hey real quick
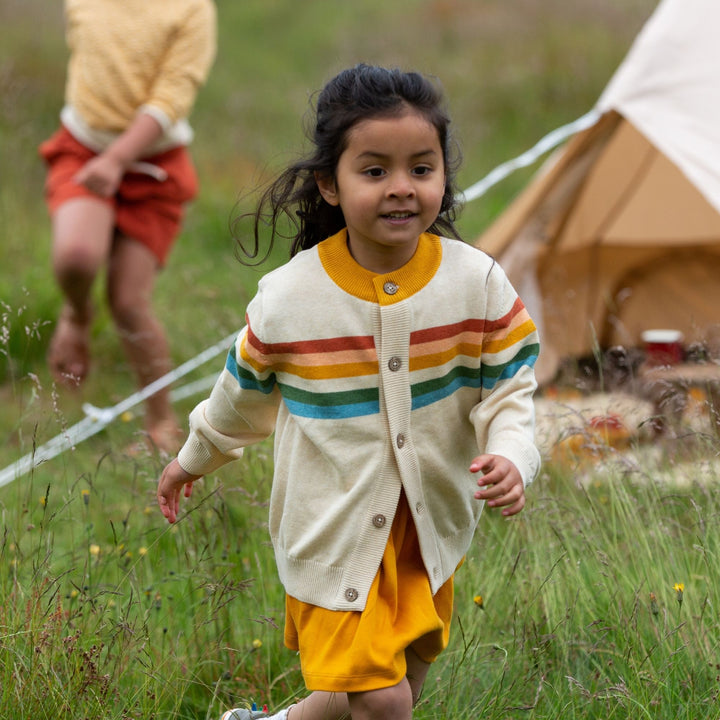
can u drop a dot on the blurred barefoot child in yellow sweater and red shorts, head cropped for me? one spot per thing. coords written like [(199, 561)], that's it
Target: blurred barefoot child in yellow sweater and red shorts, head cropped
[(119, 176)]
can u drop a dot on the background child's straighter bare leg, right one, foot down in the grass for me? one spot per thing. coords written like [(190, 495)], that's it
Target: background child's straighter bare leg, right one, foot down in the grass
[(131, 278)]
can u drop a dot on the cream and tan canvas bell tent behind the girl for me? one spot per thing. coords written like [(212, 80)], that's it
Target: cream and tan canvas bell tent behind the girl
[(619, 231)]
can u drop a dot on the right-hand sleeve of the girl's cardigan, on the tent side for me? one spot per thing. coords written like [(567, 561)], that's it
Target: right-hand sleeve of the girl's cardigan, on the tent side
[(504, 419)]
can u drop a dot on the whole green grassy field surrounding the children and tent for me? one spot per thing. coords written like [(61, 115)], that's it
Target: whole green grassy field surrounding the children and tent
[(599, 601)]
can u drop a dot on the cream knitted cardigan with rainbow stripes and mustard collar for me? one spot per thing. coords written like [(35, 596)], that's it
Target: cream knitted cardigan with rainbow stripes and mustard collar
[(372, 383)]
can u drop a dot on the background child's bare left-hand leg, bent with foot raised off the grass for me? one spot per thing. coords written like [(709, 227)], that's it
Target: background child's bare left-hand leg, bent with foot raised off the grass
[(82, 235)]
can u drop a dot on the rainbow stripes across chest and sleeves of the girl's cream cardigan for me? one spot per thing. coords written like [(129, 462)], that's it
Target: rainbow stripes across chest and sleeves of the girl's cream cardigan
[(472, 353)]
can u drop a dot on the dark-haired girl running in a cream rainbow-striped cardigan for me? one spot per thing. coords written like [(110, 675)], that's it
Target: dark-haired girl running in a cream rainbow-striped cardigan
[(393, 365)]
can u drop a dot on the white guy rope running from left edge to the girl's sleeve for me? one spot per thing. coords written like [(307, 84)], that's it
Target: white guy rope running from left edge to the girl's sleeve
[(98, 418)]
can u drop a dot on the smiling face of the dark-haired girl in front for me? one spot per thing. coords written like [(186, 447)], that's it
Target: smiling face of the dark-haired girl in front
[(389, 184)]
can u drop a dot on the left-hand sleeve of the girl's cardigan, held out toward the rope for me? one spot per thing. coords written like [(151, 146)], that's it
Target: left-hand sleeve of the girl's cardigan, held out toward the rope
[(241, 410)]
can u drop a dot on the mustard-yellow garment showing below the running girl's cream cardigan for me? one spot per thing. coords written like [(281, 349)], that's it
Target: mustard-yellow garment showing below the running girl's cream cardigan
[(359, 651)]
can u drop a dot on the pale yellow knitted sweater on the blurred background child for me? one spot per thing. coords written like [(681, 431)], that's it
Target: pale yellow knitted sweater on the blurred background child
[(131, 54)]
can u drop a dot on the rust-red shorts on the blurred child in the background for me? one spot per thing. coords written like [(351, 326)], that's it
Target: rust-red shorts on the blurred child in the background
[(146, 209)]
